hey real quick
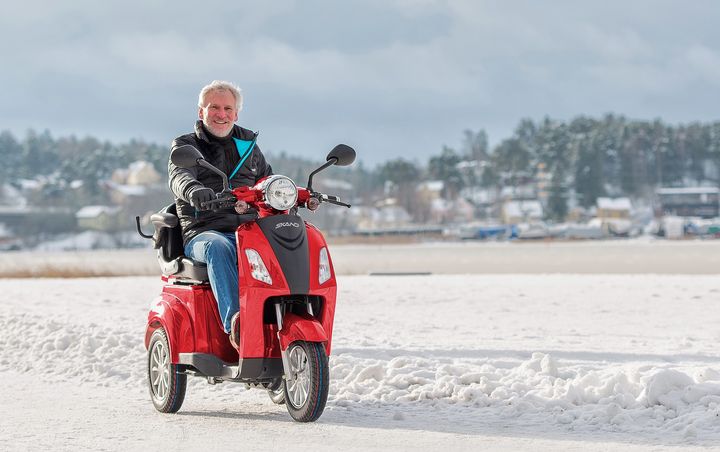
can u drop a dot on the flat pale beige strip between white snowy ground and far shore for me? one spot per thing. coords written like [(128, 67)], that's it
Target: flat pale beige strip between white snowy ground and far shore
[(637, 256)]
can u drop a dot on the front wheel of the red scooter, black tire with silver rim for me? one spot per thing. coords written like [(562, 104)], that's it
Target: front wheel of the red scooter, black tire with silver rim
[(309, 363)]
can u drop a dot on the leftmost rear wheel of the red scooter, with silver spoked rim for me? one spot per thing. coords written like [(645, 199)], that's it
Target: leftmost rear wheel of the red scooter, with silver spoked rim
[(167, 385)]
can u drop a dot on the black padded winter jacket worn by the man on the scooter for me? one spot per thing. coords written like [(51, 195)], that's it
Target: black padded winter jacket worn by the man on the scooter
[(184, 180)]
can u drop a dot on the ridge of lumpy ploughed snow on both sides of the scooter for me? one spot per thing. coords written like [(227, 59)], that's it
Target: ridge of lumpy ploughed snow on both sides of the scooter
[(581, 396)]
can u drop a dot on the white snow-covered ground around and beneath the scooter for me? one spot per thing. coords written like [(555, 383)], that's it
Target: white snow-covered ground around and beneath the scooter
[(454, 362)]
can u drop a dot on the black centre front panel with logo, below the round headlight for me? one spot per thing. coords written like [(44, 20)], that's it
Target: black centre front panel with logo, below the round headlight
[(288, 238)]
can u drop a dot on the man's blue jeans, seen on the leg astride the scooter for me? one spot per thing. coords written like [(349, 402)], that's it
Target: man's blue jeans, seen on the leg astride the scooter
[(218, 250)]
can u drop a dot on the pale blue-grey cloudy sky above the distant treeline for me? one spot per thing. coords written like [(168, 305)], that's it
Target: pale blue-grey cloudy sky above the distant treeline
[(393, 78)]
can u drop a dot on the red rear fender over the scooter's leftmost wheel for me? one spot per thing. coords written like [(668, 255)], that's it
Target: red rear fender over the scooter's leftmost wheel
[(169, 313)]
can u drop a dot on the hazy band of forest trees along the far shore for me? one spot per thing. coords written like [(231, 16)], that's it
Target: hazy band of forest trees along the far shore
[(574, 162)]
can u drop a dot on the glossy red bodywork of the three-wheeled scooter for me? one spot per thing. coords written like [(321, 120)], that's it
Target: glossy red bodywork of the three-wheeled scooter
[(190, 317)]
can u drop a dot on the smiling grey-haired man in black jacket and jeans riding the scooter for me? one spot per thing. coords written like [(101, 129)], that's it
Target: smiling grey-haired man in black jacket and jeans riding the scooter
[(209, 236)]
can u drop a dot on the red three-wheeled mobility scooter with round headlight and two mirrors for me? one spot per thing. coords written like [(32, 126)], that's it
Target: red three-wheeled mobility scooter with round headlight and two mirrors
[(287, 298)]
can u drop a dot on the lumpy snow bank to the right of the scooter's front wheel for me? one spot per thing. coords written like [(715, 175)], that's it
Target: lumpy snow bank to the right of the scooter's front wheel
[(620, 398)]
